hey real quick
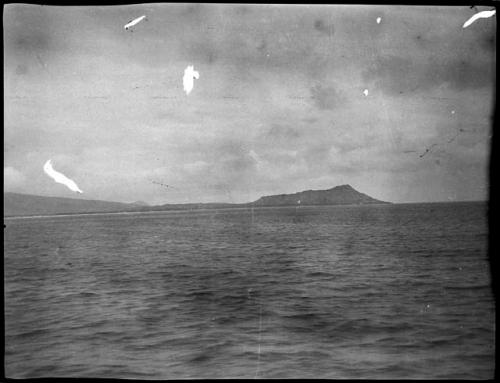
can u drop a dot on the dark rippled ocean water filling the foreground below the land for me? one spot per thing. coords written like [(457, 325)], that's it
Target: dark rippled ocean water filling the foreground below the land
[(388, 291)]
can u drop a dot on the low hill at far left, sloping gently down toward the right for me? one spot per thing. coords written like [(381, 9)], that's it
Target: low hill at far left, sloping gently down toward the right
[(15, 204)]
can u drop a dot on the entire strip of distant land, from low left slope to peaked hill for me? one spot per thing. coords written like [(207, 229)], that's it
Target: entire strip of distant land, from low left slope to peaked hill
[(16, 204)]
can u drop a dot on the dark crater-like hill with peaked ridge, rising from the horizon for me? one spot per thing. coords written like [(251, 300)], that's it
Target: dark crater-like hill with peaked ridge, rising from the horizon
[(339, 195)]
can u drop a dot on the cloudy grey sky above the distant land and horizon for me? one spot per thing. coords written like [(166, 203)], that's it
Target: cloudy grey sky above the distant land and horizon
[(278, 108)]
